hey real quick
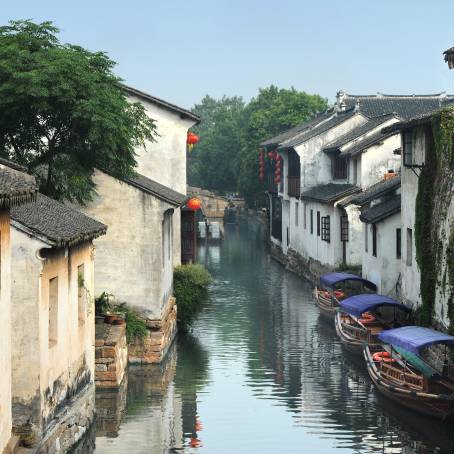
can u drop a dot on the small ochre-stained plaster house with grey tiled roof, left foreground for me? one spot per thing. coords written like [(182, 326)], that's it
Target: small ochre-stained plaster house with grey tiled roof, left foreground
[(54, 332)]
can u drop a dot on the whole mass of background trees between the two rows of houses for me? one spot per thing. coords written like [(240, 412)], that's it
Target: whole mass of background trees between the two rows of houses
[(231, 131)]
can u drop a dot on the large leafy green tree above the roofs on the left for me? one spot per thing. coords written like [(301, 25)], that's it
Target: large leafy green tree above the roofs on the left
[(63, 112)]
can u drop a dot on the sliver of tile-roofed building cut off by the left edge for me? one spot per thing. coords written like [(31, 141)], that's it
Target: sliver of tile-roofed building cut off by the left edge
[(16, 187)]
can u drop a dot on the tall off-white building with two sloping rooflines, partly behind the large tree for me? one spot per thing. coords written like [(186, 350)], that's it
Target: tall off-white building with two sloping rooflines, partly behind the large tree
[(135, 260)]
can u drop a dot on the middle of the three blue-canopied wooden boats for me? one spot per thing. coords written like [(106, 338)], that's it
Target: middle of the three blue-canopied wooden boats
[(360, 318)]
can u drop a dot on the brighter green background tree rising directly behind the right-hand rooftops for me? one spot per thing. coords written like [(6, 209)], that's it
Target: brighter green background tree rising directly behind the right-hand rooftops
[(273, 111)]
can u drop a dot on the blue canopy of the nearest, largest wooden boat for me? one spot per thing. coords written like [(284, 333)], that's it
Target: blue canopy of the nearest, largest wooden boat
[(414, 338)]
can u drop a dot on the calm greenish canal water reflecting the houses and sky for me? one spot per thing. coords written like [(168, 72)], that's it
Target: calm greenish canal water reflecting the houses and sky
[(259, 373)]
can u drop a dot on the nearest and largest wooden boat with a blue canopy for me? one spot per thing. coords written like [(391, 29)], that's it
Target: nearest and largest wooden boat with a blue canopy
[(414, 368)]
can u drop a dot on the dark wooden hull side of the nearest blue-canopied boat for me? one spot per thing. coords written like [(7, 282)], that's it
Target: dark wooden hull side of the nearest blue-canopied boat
[(433, 405)]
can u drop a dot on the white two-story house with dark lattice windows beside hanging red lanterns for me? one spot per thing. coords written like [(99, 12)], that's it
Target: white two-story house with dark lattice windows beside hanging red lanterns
[(325, 160)]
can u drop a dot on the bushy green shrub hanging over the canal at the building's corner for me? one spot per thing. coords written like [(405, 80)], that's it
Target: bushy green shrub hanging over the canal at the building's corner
[(191, 292)]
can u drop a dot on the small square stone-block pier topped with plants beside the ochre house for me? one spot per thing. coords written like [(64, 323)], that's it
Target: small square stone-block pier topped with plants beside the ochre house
[(111, 355)]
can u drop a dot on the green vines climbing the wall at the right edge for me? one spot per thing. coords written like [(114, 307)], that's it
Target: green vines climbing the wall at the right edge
[(434, 234)]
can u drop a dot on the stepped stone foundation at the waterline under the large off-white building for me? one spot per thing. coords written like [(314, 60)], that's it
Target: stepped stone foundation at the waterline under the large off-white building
[(161, 332)]
